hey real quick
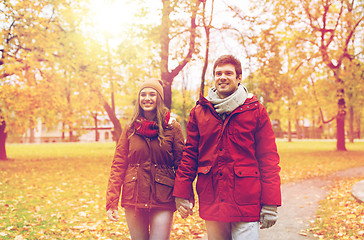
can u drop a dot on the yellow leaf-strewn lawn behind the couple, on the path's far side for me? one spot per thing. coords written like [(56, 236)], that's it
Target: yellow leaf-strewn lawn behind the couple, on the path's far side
[(57, 191)]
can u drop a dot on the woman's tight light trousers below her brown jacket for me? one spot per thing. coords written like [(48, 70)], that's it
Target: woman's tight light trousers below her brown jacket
[(145, 225)]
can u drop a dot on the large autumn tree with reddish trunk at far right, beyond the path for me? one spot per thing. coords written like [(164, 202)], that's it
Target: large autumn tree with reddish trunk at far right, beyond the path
[(326, 31)]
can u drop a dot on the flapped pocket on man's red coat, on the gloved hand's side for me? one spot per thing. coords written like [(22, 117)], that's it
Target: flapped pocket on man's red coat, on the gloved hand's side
[(247, 186)]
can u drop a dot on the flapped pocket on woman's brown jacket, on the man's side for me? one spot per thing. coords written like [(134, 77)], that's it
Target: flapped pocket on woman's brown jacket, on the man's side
[(163, 188)]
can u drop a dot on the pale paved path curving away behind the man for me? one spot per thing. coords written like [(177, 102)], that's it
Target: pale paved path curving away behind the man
[(299, 205)]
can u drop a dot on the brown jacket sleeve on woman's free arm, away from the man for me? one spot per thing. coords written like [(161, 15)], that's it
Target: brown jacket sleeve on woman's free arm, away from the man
[(117, 173)]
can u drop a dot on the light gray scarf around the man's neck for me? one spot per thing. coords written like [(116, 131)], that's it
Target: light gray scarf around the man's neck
[(226, 105)]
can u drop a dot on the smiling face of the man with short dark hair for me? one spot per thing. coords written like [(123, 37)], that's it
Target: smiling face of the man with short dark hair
[(226, 81)]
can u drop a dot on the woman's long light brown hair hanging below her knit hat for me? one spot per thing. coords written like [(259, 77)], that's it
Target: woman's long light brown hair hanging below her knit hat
[(161, 110)]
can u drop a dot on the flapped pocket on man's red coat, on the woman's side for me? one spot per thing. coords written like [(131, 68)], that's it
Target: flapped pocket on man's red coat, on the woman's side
[(204, 187)]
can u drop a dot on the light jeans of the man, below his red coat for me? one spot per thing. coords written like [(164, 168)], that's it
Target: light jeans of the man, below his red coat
[(232, 230)]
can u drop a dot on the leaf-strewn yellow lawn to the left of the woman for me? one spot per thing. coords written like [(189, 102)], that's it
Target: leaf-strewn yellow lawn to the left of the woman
[(56, 191)]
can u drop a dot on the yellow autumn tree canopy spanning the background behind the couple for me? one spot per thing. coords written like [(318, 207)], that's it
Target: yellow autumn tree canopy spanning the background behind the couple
[(303, 59)]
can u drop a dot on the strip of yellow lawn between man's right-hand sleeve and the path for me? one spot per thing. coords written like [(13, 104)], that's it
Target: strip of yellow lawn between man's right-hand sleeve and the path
[(307, 159)]
